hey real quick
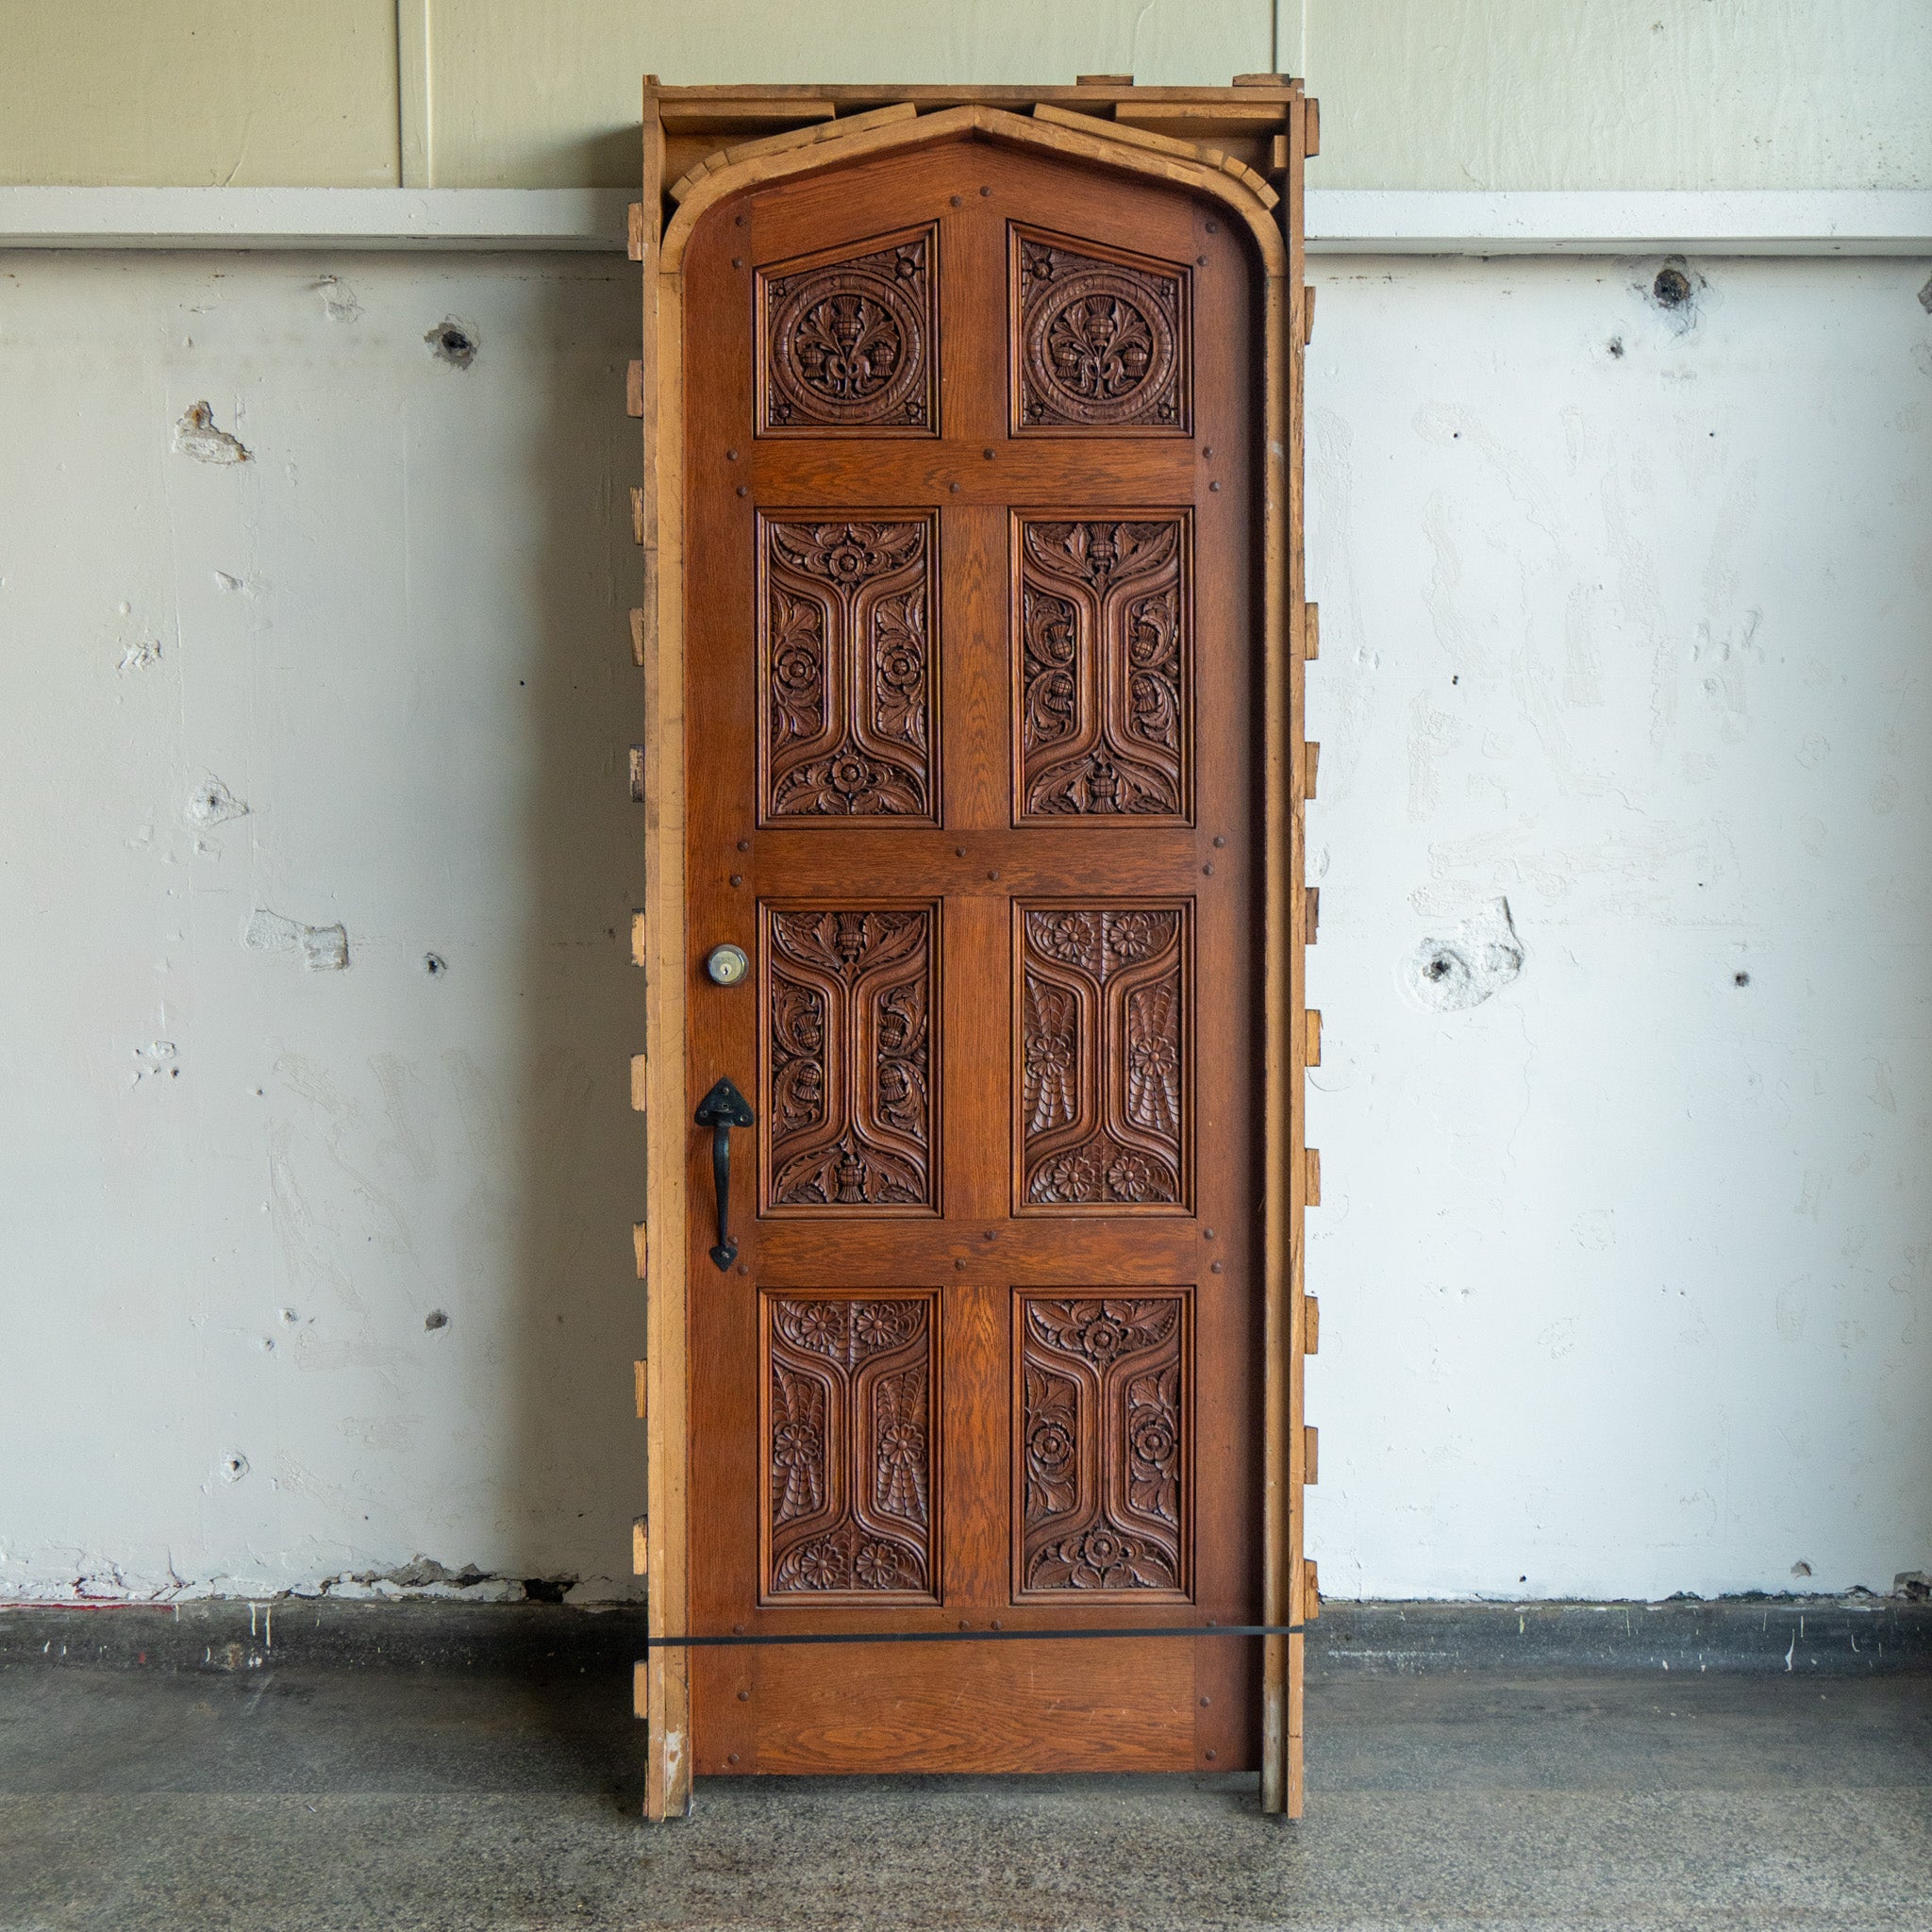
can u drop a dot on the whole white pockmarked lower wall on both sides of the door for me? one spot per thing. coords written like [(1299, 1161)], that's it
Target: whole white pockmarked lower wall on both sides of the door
[(1624, 1270)]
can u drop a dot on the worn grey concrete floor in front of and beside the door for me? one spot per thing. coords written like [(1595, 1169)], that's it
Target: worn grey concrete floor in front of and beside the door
[(298, 1800)]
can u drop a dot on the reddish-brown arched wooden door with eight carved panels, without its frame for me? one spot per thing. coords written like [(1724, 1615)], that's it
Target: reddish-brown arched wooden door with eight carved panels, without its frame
[(973, 724)]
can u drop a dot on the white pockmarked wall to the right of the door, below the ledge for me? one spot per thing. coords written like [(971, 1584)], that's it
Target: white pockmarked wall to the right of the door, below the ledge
[(1628, 1272)]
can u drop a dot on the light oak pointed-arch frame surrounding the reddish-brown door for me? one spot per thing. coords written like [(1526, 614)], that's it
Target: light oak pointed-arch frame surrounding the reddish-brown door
[(1270, 119)]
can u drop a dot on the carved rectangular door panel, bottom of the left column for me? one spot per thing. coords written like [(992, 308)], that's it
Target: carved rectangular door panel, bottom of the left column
[(851, 1448)]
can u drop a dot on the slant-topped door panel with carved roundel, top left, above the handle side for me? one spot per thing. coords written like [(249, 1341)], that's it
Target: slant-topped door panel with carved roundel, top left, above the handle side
[(849, 339)]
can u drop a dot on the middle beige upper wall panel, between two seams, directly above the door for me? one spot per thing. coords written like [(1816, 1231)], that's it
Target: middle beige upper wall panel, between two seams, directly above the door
[(548, 98)]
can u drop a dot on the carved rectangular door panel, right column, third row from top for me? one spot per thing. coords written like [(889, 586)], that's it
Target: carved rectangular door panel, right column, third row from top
[(1104, 1108)]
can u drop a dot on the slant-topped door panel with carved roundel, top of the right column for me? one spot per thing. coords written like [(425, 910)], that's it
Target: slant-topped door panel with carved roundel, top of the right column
[(1100, 339)]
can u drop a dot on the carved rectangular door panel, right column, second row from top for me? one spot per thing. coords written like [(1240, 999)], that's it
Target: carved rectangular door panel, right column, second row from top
[(1104, 669)]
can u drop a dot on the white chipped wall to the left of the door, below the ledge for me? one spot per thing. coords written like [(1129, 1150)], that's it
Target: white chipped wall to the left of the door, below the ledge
[(235, 1191)]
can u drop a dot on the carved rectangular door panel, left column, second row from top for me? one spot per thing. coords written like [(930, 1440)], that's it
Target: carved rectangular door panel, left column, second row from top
[(847, 685)]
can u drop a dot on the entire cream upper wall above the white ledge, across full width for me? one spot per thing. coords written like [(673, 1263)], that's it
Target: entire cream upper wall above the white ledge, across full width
[(1417, 94)]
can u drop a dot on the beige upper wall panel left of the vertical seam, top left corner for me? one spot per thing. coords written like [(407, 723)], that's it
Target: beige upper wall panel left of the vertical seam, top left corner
[(198, 94)]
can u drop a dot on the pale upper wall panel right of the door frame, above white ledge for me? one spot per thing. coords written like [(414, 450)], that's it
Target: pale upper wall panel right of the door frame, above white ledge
[(1672, 94)]
